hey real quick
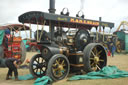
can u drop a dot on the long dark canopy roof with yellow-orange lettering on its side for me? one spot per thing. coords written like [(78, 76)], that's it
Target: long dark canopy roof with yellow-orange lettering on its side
[(37, 17)]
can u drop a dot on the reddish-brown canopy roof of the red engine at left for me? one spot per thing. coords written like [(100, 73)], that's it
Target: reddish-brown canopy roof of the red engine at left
[(13, 27)]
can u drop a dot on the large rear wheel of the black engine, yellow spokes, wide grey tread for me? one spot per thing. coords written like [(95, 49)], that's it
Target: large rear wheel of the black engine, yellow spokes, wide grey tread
[(94, 58)]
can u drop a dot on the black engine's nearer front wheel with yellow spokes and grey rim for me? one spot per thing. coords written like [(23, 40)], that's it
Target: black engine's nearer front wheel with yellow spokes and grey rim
[(58, 67)]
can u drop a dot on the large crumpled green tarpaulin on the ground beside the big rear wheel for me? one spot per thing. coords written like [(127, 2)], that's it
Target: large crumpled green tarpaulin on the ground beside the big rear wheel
[(108, 72)]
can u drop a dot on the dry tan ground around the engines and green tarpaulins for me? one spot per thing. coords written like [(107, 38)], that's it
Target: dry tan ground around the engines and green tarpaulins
[(120, 60)]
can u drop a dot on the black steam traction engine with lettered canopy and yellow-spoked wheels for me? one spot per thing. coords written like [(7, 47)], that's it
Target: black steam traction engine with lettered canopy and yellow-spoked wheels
[(63, 51)]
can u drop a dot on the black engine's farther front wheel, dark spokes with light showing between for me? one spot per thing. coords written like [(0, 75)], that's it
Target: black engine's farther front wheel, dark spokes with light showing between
[(38, 66)]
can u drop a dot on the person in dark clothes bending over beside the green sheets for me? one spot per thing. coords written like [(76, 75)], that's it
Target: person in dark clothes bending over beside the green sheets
[(12, 65)]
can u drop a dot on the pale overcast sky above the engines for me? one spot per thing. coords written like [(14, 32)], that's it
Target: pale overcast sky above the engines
[(110, 10)]
